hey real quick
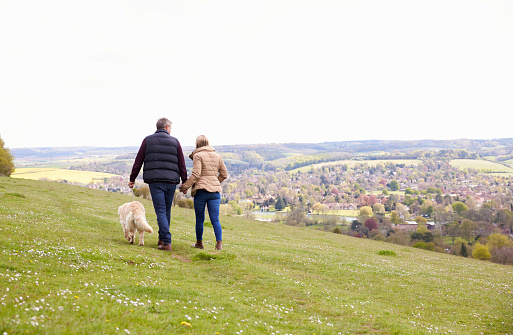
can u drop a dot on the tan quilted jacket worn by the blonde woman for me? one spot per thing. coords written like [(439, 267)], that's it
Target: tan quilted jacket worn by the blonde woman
[(208, 171)]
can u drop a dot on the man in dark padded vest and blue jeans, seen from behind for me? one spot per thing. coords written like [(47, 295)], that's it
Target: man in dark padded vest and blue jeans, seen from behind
[(164, 165)]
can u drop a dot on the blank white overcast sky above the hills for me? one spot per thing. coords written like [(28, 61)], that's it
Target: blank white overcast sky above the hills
[(100, 73)]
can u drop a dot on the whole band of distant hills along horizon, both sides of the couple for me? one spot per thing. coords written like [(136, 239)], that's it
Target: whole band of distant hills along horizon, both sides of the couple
[(289, 156)]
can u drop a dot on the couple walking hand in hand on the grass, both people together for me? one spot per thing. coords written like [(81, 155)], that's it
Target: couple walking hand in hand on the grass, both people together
[(164, 166)]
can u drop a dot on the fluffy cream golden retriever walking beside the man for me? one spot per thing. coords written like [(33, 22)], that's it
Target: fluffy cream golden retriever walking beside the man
[(132, 218)]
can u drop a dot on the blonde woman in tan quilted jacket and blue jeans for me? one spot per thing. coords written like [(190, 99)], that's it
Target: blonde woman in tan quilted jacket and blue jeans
[(208, 171)]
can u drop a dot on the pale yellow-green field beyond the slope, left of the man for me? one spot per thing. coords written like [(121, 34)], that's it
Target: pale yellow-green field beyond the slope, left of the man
[(55, 174)]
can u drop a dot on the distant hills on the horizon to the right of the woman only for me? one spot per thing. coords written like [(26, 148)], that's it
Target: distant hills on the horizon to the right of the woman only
[(290, 156)]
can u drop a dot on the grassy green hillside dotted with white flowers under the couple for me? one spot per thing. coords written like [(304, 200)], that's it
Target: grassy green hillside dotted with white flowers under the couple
[(65, 268)]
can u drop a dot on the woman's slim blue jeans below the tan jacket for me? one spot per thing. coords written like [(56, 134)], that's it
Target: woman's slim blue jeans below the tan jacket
[(212, 200)]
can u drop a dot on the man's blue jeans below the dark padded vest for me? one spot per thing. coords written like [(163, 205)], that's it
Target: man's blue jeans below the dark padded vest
[(162, 195)]
